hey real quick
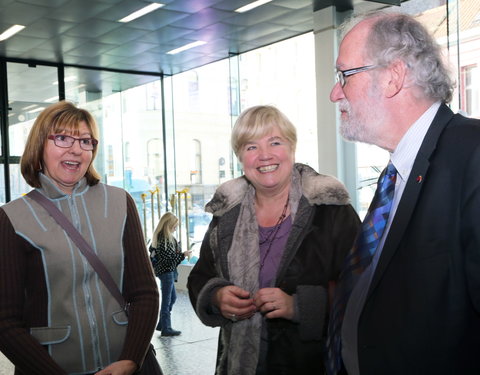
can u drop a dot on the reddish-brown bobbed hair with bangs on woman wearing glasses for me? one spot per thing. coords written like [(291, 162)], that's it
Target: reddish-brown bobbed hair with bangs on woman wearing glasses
[(55, 119)]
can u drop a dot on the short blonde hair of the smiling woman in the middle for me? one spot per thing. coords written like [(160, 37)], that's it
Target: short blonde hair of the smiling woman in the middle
[(258, 121)]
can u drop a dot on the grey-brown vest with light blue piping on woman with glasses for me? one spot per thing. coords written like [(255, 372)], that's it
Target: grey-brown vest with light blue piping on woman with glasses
[(86, 326)]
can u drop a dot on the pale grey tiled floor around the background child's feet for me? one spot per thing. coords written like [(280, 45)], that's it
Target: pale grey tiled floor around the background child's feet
[(192, 353)]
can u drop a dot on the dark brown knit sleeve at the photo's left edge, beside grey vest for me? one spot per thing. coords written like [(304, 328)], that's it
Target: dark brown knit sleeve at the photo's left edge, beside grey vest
[(20, 264)]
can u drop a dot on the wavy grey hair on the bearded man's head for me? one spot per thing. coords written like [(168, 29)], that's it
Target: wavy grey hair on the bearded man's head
[(398, 36)]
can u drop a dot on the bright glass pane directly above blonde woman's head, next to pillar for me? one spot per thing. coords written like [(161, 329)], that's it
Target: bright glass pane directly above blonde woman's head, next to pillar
[(282, 74)]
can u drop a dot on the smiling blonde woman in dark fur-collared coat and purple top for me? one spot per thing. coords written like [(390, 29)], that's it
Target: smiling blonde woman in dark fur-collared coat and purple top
[(275, 246)]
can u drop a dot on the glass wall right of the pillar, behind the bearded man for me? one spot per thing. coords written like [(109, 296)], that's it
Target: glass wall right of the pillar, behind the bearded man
[(456, 26)]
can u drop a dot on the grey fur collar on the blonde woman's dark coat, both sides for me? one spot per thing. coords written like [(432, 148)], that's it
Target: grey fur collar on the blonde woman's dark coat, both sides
[(317, 188)]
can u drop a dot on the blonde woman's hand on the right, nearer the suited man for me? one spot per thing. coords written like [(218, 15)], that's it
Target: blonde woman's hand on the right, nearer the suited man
[(274, 303)]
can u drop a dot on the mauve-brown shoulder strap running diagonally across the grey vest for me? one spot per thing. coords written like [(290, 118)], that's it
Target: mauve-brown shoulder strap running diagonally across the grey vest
[(83, 245)]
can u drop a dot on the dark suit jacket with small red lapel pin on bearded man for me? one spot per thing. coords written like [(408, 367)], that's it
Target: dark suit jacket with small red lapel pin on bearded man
[(422, 313)]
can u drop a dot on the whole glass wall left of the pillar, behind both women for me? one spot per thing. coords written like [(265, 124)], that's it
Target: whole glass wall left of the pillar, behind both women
[(176, 165)]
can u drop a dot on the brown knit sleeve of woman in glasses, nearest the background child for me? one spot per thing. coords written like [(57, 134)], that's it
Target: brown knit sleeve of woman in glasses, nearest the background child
[(140, 289)]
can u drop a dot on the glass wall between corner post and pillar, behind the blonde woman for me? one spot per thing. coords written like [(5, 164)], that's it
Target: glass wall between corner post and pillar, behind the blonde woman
[(206, 103)]
